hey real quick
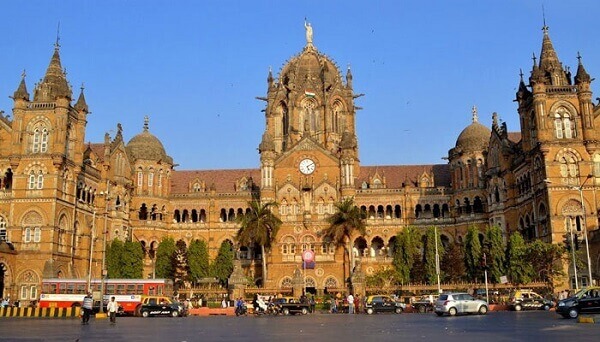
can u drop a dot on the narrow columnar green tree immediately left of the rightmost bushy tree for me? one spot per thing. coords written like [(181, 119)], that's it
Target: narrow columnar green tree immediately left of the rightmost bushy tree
[(519, 269)]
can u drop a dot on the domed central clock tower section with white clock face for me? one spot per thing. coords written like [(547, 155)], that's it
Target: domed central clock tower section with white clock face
[(309, 152)]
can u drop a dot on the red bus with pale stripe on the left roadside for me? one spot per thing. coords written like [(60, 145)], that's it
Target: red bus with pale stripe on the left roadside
[(66, 293)]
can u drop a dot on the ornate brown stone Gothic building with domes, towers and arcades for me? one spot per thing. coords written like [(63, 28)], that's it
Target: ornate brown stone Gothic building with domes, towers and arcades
[(62, 200)]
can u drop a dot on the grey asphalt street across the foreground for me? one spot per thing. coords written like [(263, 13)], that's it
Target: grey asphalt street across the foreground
[(496, 326)]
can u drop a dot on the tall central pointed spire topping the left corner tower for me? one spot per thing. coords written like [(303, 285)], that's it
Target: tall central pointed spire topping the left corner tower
[(54, 83)]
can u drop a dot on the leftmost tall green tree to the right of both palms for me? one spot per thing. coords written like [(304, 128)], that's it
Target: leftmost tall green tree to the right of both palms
[(408, 244)]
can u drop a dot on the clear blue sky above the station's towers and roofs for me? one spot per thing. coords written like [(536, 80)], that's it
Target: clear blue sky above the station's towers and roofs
[(196, 67)]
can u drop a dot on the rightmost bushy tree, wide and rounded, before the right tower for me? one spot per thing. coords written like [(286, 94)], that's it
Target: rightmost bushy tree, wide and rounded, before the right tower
[(545, 259)]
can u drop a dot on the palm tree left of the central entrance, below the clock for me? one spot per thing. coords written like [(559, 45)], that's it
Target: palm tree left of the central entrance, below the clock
[(259, 227)]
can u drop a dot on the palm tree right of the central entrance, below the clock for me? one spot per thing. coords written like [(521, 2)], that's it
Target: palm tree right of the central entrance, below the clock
[(347, 219)]
